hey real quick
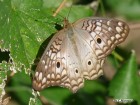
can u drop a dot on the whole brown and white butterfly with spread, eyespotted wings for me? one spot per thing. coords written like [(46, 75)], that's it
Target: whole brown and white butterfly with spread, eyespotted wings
[(78, 52)]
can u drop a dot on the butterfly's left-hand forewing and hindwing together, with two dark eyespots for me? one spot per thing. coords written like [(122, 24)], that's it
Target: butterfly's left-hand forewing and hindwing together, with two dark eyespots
[(59, 65)]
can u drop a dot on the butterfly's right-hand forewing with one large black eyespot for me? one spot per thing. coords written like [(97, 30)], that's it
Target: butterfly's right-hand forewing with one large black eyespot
[(106, 33)]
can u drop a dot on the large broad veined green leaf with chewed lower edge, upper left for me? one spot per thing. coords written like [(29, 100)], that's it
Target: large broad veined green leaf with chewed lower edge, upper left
[(22, 30)]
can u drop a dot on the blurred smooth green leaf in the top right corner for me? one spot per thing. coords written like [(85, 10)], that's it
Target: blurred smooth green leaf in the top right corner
[(129, 8)]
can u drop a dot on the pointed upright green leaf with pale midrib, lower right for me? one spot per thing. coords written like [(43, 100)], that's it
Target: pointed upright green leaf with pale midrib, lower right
[(125, 83)]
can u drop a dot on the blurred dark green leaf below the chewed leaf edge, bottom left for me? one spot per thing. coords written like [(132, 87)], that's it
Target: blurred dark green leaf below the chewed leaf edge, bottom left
[(20, 87)]
